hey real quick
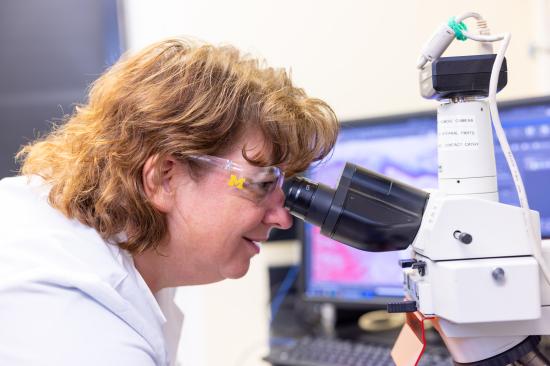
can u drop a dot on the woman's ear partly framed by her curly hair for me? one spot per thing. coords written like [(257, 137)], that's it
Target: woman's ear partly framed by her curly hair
[(159, 181)]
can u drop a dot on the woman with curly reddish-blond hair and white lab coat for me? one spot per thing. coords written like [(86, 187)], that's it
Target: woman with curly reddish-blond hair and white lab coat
[(170, 175)]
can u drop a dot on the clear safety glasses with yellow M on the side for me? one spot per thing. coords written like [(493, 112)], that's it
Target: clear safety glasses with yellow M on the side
[(254, 183)]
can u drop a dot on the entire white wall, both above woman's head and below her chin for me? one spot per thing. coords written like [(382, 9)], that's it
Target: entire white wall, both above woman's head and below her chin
[(360, 57)]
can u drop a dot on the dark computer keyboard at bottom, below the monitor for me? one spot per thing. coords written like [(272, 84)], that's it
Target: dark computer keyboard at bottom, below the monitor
[(313, 351)]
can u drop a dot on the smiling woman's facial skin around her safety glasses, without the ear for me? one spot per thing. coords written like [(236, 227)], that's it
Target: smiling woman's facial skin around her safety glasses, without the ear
[(212, 229)]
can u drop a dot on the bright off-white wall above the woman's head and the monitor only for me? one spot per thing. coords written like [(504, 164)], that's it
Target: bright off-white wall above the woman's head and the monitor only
[(357, 55)]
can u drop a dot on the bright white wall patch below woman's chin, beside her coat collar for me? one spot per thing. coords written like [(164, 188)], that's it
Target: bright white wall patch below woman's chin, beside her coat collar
[(226, 323)]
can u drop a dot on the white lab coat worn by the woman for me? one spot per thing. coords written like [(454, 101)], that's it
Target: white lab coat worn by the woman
[(69, 298)]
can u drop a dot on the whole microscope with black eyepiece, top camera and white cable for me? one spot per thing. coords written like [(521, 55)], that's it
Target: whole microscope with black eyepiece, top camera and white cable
[(478, 268)]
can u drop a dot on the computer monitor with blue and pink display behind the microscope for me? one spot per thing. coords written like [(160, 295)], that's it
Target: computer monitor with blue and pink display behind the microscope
[(404, 147)]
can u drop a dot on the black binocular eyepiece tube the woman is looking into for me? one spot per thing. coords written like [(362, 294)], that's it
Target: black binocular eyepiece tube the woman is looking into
[(367, 211)]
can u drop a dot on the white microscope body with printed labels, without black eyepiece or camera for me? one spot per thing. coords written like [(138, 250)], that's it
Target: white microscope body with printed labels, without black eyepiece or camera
[(475, 268)]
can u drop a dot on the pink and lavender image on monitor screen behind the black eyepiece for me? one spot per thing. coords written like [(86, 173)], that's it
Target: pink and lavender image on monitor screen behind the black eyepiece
[(334, 263)]
